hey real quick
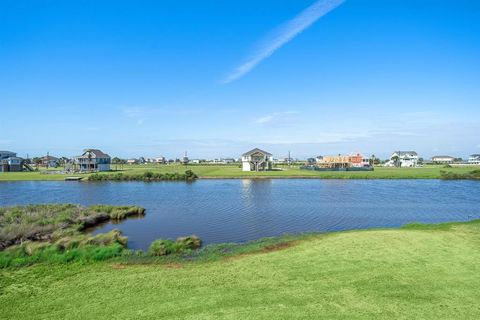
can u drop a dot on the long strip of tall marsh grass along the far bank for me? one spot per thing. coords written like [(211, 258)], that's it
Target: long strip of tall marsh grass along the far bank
[(147, 176)]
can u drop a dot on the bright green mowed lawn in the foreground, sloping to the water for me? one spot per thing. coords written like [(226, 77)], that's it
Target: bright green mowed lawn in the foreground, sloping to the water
[(411, 273)]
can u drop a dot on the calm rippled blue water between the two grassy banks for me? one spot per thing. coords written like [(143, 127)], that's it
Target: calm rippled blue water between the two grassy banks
[(242, 210)]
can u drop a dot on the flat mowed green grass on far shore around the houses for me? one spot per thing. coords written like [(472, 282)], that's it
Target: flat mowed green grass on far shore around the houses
[(234, 171)]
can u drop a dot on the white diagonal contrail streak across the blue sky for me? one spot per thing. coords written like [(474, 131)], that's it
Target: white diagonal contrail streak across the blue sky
[(283, 35)]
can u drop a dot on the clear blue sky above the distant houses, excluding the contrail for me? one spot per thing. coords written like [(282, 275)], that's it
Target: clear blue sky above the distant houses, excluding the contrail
[(150, 78)]
